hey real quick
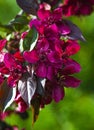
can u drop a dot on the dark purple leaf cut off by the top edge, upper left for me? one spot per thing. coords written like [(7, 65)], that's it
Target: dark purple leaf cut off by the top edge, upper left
[(29, 6)]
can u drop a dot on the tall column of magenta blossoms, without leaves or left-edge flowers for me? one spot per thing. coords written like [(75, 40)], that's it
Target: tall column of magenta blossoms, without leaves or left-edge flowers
[(51, 56)]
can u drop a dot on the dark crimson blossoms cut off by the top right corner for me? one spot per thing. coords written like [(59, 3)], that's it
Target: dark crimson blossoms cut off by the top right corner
[(78, 7)]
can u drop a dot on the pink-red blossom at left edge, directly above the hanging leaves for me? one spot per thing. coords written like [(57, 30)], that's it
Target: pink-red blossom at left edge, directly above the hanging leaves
[(13, 68)]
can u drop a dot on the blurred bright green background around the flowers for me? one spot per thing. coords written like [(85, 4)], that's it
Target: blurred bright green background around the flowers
[(76, 111)]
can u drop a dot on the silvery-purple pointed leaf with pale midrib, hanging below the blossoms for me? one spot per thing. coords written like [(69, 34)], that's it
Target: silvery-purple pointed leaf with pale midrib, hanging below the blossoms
[(27, 87)]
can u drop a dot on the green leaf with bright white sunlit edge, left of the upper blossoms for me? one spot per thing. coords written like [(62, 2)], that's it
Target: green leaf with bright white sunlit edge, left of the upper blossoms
[(30, 40)]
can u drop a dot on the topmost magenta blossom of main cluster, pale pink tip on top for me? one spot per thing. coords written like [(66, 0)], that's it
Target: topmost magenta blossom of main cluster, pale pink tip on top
[(51, 21)]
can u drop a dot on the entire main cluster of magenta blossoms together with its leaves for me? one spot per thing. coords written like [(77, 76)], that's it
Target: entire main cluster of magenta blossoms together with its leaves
[(36, 65)]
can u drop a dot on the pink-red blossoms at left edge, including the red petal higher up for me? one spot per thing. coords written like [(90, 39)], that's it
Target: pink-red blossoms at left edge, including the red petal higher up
[(10, 66)]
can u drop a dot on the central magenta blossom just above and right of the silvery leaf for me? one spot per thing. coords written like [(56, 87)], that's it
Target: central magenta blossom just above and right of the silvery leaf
[(46, 62)]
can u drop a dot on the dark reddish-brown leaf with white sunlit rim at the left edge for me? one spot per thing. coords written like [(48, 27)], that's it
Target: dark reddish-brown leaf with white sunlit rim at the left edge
[(7, 96)]
